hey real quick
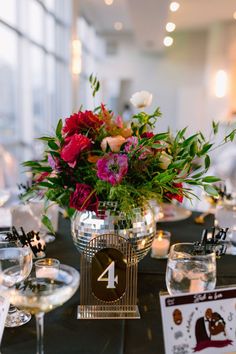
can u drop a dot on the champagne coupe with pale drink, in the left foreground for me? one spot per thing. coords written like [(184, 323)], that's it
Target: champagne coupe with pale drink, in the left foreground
[(39, 295)]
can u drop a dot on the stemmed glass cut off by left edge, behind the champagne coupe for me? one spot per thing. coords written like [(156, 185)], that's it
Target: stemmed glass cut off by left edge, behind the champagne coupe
[(16, 265)]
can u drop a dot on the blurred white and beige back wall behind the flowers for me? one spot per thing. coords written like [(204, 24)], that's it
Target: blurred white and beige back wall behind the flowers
[(181, 78)]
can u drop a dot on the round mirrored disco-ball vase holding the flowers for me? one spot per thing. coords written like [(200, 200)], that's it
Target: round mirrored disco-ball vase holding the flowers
[(138, 228)]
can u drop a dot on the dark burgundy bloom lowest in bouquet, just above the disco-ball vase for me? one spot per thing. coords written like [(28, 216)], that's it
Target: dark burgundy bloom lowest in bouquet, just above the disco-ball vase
[(84, 198)]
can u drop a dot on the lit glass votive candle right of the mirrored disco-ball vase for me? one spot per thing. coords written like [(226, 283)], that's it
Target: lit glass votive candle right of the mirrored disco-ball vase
[(161, 244)]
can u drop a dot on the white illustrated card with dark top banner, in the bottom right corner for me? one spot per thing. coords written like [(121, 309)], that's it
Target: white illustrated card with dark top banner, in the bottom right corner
[(202, 322)]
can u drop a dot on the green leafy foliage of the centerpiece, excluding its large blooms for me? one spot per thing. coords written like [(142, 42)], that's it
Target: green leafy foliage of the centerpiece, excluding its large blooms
[(159, 166)]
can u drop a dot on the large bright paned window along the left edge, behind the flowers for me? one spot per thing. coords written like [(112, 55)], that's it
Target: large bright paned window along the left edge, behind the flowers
[(35, 77)]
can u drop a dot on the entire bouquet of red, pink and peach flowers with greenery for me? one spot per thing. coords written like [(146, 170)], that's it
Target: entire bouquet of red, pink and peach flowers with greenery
[(94, 156)]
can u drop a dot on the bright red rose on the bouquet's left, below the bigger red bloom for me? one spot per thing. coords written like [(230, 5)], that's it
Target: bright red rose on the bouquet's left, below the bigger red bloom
[(73, 147)]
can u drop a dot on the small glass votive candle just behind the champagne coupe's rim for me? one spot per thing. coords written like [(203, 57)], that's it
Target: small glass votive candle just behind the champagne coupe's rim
[(47, 267)]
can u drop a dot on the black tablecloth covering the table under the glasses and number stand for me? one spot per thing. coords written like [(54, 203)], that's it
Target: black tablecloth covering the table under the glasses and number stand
[(64, 334)]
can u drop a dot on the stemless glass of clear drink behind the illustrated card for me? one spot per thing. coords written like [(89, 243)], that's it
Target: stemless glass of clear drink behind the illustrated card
[(189, 273)]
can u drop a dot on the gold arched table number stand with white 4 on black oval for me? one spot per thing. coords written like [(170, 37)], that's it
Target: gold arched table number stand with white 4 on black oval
[(108, 287)]
